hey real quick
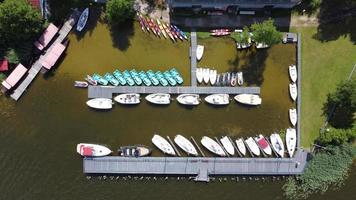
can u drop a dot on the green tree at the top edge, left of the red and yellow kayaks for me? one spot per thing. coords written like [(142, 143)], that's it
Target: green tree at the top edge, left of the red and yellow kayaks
[(118, 11)]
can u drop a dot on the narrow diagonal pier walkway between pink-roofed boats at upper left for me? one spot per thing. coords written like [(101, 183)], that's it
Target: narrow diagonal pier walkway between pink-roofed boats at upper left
[(36, 67)]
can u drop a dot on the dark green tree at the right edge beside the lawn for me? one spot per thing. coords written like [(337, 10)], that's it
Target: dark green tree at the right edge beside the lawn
[(341, 105)]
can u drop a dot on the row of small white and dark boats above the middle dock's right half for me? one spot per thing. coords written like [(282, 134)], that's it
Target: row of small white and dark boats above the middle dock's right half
[(206, 75)]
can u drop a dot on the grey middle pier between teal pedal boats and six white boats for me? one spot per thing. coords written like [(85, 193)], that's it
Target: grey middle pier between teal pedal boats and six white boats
[(108, 91)]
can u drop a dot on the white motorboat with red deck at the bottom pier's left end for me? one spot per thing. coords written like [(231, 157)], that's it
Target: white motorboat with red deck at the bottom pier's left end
[(92, 150)]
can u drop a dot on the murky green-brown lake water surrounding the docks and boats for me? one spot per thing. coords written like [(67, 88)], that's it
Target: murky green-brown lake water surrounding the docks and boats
[(39, 133)]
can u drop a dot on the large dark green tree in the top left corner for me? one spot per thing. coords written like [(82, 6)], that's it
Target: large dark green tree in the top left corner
[(19, 22)]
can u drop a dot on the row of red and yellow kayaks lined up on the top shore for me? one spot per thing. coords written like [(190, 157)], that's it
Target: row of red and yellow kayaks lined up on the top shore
[(160, 29)]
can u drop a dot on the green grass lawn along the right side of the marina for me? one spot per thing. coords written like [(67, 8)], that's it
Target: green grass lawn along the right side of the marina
[(324, 65)]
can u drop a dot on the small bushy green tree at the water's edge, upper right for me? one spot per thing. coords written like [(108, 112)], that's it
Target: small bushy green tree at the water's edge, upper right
[(266, 32)]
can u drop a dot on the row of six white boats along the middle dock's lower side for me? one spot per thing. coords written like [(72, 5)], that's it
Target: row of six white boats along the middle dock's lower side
[(165, 99)]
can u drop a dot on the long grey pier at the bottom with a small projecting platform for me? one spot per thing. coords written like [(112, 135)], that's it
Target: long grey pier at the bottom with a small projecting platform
[(201, 167)]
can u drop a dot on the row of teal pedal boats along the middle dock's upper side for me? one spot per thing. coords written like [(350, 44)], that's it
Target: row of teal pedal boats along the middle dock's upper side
[(149, 78)]
